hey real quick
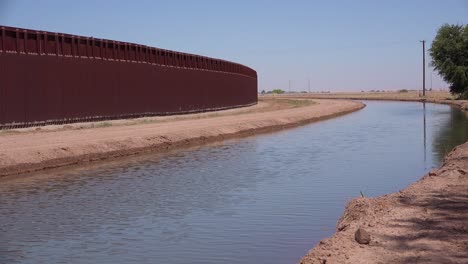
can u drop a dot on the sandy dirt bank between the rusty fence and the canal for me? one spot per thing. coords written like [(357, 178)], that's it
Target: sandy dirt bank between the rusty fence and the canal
[(27, 150)]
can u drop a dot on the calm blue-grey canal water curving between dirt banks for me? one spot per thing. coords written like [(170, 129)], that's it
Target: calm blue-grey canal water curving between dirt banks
[(261, 199)]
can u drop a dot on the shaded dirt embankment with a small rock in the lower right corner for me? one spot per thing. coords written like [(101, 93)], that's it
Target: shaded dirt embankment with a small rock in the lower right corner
[(425, 223)]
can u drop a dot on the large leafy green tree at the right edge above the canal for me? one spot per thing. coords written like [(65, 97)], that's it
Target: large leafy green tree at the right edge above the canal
[(449, 52)]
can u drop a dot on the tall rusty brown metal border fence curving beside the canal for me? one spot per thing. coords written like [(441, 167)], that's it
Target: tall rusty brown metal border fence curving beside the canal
[(54, 78)]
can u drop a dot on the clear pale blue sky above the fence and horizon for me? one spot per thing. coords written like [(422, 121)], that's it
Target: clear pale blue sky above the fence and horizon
[(339, 45)]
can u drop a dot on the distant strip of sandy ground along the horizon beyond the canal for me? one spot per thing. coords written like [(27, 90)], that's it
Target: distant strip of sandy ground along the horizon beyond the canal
[(431, 96)]
